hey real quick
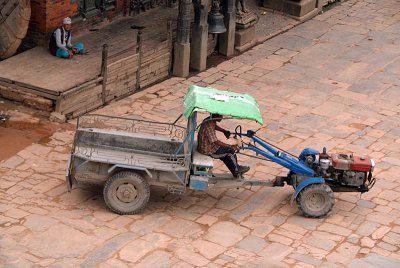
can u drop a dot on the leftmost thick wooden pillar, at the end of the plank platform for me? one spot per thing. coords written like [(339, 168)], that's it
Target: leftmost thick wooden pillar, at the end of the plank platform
[(182, 44)]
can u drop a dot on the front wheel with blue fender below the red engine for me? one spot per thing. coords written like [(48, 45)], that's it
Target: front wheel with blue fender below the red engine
[(316, 200)]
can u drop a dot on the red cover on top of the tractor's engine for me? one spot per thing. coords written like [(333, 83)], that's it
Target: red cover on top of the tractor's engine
[(351, 162)]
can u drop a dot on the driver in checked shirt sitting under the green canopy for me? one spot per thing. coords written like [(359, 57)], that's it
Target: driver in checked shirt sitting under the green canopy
[(209, 144)]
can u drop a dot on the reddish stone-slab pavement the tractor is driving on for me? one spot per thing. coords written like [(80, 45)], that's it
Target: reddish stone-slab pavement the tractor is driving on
[(332, 81)]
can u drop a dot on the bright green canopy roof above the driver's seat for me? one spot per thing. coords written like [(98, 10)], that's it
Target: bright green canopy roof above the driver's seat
[(221, 102)]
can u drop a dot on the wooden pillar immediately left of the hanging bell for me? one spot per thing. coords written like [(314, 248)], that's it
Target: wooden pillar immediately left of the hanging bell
[(198, 46)]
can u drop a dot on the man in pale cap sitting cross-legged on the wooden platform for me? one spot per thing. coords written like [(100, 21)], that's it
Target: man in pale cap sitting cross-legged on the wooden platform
[(60, 42)]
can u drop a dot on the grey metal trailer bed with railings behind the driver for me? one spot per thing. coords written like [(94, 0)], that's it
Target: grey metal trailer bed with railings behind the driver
[(105, 146)]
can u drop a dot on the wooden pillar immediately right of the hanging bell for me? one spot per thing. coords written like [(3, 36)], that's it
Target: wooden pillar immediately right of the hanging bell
[(227, 39)]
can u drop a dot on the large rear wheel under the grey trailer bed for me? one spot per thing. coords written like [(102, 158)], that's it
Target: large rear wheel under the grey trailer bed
[(126, 192)]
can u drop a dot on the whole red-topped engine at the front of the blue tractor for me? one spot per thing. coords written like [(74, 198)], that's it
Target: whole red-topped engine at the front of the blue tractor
[(346, 170)]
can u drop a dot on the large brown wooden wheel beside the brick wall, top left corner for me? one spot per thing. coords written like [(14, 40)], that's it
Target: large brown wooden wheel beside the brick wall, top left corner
[(14, 22)]
